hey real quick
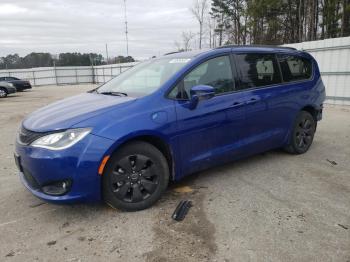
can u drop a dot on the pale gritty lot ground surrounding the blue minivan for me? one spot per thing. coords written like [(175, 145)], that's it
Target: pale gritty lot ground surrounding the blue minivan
[(269, 207)]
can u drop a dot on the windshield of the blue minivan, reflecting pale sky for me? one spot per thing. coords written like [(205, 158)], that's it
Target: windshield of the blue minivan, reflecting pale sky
[(144, 78)]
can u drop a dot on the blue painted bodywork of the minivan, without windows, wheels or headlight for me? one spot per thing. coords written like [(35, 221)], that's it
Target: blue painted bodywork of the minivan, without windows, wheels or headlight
[(215, 131)]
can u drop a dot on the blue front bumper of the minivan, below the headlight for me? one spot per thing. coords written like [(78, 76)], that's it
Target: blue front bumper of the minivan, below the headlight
[(79, 164)]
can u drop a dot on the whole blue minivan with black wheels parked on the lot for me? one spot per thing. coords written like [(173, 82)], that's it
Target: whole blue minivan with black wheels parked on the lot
[(166, 118)]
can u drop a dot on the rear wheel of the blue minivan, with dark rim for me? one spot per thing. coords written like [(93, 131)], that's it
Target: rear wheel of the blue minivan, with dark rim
[(302, 134)]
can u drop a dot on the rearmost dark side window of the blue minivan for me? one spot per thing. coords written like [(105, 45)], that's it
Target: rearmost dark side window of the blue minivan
[(295, 68)]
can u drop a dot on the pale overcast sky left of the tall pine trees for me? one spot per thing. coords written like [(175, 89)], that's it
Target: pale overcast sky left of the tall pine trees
[(85, 26)]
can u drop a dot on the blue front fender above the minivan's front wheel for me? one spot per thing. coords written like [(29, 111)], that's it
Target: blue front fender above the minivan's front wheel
[(136, 121)]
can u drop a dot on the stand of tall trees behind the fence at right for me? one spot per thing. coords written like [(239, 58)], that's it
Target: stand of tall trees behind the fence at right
[(279, 21)]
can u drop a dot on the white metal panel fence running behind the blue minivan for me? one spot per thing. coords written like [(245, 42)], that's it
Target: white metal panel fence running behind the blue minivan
[(332, 55)]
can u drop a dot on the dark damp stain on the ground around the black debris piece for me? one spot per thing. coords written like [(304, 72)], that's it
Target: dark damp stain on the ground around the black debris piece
[(189, 240)]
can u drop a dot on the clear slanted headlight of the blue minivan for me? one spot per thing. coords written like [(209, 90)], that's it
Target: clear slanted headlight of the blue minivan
[(61, 140)]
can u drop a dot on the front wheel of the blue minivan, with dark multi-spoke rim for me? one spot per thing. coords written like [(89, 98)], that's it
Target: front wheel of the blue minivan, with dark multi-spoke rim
[(135, 177)]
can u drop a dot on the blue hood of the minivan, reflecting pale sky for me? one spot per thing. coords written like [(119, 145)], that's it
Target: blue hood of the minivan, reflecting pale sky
[(70, 111)]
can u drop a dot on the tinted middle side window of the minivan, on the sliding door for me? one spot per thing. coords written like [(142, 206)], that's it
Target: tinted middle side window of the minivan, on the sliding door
[(257, 70)]
